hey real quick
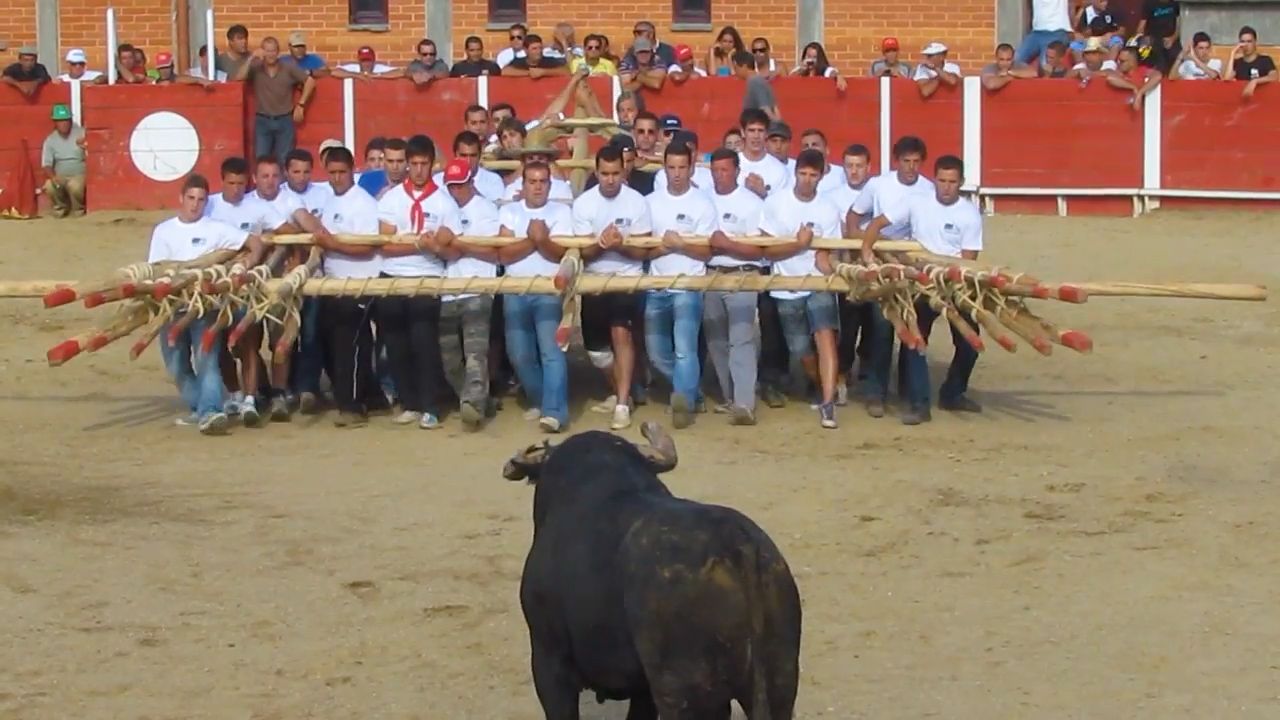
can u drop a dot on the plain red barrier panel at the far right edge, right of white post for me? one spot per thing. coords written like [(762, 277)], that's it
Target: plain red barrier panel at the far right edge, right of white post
[(1213, 139)]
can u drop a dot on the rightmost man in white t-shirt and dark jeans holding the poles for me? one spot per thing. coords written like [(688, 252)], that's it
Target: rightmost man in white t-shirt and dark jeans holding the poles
[(945, 225)]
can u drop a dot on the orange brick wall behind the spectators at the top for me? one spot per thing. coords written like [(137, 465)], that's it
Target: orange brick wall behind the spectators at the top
[(853, 28)]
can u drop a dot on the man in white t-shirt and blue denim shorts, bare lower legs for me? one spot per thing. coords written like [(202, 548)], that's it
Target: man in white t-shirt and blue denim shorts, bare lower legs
[(808, 318)]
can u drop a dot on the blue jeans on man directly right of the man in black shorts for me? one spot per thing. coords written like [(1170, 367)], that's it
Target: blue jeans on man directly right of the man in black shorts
[(671, 326)]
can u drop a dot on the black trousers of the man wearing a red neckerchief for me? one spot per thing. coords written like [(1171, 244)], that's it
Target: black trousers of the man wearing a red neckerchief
[(412, 327)]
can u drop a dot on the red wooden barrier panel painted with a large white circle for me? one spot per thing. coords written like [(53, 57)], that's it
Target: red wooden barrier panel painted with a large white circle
[(144, 140)]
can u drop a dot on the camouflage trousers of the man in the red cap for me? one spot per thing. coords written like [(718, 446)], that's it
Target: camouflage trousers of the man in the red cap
[(465, 341)]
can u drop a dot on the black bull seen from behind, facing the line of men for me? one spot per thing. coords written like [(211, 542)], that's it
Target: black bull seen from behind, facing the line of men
[(638, 595)]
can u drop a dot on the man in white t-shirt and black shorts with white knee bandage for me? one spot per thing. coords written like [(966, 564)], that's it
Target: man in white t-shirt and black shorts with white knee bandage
[(612, 212)]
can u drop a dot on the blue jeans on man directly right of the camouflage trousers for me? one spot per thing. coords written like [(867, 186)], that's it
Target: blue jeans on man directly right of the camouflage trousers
[(541, 366)]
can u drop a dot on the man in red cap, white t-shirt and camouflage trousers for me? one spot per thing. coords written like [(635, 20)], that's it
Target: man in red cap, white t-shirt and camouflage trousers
[(465, 318)]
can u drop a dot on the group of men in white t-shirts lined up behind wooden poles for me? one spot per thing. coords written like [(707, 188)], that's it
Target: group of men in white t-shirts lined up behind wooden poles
[(748, 194)]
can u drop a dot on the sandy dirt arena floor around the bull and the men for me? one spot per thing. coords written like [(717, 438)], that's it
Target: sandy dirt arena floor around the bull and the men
[(1101, 543)]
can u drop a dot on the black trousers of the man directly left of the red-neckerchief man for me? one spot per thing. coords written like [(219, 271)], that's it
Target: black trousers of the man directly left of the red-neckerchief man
[(349, 343)]
